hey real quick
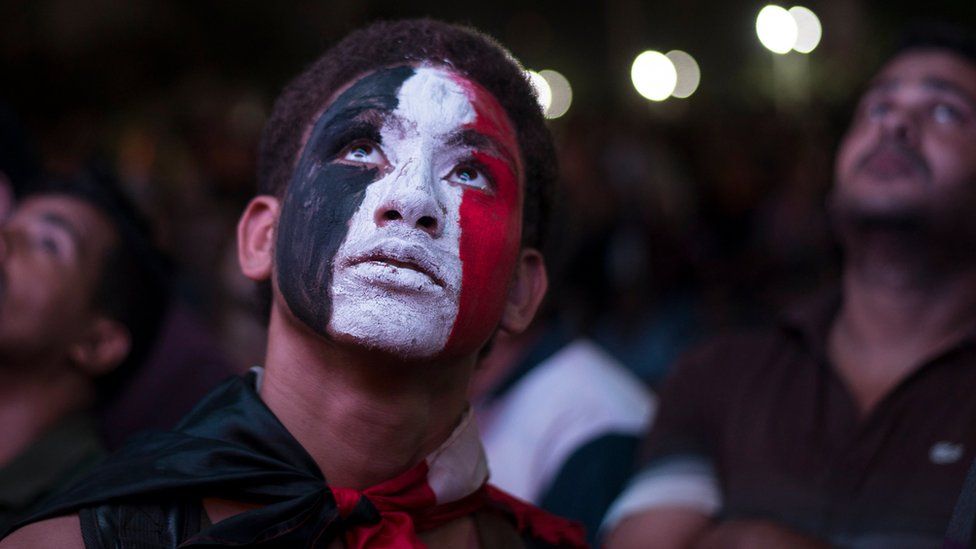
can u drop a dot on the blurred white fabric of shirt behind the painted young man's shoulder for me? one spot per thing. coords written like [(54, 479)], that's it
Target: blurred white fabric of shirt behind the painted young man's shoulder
[(575, 396)]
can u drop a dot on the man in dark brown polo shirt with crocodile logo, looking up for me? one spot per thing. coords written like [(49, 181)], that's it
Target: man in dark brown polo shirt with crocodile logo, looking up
[(852, 422)]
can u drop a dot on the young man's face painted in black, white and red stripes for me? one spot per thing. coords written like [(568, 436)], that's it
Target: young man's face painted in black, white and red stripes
[(400, 229)]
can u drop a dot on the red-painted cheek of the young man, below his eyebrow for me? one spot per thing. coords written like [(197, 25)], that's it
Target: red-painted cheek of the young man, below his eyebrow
[(491, 226)]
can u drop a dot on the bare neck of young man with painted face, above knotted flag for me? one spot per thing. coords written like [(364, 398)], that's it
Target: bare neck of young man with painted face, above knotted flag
[(364, 417)]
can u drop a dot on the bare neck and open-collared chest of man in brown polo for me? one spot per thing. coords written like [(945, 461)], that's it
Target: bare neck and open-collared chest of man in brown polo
[(904, 303)]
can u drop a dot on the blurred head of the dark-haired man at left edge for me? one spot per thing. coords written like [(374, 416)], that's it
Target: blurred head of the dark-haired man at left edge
[(82, 283)]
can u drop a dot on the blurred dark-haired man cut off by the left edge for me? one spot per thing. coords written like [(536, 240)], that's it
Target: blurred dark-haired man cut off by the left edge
[(80, 300)]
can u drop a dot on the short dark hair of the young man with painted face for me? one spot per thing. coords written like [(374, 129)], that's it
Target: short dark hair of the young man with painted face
[(390, 43)]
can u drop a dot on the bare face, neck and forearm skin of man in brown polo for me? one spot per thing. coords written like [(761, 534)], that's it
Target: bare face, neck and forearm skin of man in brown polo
[(905, 188)]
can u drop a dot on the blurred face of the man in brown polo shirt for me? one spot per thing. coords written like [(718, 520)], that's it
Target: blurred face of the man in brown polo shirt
[(909, 156)]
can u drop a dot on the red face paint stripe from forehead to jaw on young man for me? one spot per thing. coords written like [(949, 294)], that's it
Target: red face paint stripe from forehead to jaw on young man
[(491, 226)]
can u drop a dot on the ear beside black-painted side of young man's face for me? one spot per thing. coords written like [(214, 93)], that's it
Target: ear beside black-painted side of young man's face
[(255, 237)]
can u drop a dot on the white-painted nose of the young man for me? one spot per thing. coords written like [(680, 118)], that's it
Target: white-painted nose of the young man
[(412, 200)]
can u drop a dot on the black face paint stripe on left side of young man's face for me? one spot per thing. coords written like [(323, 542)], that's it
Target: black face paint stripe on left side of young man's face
[(323, 195)]
